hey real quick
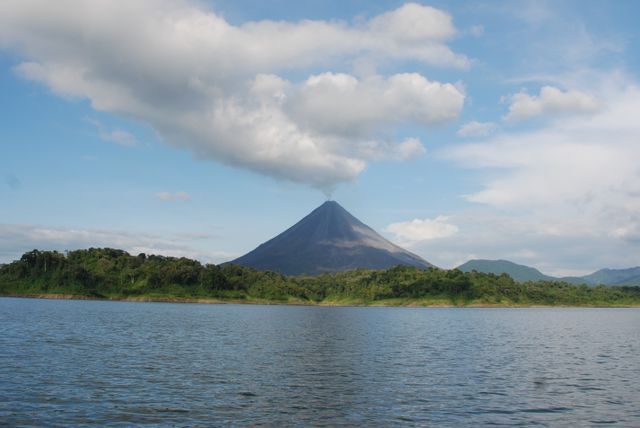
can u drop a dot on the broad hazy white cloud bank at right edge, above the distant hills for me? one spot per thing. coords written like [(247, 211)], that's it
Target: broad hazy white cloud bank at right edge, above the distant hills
[(576, 179)]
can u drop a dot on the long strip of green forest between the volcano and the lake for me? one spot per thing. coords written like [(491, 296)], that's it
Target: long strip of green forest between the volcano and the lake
[(104, 273)]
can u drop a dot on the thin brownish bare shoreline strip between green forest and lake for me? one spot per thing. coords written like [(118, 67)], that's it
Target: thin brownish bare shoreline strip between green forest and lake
[(214, 301)]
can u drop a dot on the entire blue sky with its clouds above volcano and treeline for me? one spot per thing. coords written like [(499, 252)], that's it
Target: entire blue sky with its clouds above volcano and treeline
[(457, 129)]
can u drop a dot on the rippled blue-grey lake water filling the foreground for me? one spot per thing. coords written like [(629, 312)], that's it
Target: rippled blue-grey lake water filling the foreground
[(96, 363)]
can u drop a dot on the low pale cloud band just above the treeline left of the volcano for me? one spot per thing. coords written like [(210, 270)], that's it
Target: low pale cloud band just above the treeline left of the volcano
[(15, 239)]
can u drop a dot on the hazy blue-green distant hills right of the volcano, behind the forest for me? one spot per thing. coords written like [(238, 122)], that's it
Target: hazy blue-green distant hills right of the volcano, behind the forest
[(629, 276)]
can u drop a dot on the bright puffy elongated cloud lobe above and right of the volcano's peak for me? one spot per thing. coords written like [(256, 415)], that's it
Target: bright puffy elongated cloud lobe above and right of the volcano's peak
[(341, 104)]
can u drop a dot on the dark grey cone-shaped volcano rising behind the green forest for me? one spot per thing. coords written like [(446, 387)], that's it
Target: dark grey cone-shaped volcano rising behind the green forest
[(329, 239)]
